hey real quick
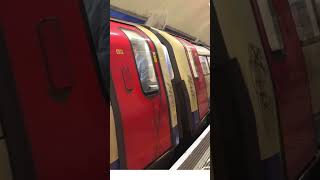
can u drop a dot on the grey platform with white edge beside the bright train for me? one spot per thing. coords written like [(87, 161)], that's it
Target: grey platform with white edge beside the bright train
[(197, 156)]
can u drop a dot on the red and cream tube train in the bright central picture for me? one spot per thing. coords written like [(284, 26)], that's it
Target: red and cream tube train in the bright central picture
[(160, 91)]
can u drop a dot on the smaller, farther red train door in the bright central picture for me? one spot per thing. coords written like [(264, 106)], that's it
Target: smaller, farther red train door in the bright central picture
[(198, 77)]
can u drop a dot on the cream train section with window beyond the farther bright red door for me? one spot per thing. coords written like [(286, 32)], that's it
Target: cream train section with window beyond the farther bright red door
[(204, 55)]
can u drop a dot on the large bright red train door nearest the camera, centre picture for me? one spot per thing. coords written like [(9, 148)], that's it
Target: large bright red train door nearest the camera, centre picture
[(140, 94)]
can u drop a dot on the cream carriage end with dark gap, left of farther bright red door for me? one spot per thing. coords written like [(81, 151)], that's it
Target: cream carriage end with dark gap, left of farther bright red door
[(183, 82)]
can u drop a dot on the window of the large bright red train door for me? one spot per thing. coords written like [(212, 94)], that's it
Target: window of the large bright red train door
[(143, 61)]
